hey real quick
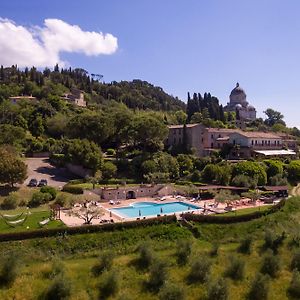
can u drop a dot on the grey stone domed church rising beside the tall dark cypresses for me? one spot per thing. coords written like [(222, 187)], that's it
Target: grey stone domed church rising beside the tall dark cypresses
[(238, 103)]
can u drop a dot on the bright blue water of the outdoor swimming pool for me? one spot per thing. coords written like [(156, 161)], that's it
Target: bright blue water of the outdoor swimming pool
[(141, 209)]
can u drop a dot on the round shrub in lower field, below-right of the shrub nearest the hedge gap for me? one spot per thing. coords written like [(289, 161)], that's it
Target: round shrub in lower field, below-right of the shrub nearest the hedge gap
[(200, 270)]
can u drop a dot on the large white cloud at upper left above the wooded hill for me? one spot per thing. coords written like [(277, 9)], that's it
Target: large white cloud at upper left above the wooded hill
[(42, 46)]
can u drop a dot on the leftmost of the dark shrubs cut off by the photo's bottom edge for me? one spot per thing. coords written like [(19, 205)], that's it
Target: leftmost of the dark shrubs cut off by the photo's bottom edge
[(59, 288)]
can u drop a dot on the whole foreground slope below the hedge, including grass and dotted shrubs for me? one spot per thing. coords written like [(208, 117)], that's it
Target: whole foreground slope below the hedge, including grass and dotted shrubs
[(163, 260)]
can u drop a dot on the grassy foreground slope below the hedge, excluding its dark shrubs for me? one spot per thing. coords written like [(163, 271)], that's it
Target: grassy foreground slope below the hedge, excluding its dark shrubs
[(79, 253)]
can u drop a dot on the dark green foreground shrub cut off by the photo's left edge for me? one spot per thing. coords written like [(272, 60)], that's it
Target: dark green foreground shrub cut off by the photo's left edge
[(9, 270)]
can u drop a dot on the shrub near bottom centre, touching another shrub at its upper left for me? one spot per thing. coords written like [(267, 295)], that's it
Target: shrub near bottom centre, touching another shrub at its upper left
[(157, 275)]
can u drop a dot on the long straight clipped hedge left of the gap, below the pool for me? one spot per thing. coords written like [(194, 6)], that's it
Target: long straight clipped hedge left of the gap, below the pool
[(42, 233)]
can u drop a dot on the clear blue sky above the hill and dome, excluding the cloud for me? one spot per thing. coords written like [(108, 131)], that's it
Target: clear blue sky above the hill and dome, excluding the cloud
[(190, 45)]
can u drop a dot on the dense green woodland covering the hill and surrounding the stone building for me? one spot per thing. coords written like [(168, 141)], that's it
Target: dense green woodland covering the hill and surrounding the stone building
[(121, 132)]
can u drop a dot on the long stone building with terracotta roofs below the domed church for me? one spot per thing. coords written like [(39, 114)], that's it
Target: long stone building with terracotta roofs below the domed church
[(242, 144)]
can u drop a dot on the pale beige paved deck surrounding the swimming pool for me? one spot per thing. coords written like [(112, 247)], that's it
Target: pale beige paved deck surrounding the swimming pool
[(209, 205)]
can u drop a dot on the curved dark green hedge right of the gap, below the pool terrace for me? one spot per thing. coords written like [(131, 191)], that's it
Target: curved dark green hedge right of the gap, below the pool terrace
[(232, 219)]
